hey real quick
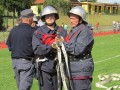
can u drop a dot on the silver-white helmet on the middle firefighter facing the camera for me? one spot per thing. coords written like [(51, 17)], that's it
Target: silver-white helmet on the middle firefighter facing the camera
[(49, 10)]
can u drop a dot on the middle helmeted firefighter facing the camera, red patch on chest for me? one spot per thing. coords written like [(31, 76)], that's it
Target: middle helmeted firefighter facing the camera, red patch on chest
[(43, 46)]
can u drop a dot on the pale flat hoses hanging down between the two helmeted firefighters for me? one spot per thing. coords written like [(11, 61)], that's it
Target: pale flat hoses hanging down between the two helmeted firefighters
[(67, 83)]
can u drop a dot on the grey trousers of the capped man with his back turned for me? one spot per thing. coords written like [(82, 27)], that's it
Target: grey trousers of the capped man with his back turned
[(24, 71)]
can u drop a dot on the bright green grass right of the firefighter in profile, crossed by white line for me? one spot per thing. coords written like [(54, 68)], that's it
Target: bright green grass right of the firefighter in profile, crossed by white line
[(105, 48)]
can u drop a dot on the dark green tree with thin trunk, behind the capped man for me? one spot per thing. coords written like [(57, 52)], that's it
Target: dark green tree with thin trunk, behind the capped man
[(16, 5)]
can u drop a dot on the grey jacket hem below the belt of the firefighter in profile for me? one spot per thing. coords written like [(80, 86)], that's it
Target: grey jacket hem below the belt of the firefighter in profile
[(82, 67)]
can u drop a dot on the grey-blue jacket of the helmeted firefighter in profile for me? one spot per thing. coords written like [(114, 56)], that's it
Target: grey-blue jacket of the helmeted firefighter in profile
[(78, 46)]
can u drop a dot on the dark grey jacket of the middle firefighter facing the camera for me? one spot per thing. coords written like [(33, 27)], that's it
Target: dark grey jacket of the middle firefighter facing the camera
[(46, 51)]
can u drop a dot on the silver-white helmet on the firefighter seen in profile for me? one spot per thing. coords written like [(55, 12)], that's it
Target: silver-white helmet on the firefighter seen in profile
[(78, 10)]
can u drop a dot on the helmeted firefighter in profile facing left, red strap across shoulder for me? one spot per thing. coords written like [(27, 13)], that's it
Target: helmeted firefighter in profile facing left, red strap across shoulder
[(78, 46)]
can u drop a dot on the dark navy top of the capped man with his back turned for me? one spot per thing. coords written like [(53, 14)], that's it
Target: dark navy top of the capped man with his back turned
[(20, 41)]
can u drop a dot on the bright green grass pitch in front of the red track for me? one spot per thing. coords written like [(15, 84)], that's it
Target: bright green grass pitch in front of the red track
[(104, 51)]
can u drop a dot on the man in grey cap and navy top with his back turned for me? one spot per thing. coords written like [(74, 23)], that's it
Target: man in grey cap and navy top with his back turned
[(20, 44)]
